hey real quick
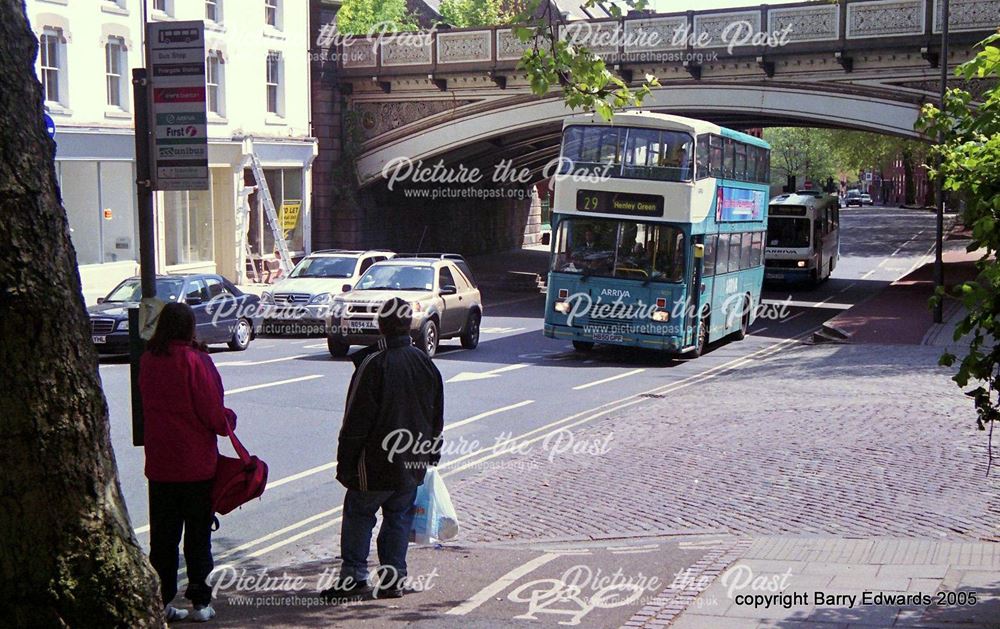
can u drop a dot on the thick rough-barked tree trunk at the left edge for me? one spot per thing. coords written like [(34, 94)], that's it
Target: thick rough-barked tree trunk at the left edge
[(68, 556)]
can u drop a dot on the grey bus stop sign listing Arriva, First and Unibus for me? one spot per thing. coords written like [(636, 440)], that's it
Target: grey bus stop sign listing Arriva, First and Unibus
[(177, 105)]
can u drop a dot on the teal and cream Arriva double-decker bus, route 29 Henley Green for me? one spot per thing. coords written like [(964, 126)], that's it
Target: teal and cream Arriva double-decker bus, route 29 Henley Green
[(658, 233)]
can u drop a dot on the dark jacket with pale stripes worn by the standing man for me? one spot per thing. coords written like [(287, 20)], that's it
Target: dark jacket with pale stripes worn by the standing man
[(396, 392)]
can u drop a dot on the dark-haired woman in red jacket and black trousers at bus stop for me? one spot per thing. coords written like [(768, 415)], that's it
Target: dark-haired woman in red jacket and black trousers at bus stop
[(182, 404)]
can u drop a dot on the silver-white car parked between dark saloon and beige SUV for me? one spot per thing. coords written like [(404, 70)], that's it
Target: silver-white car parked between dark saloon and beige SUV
[(304, 298)]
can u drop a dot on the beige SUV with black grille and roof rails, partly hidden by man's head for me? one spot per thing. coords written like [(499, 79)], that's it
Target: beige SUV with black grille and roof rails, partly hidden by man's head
[(440, 288)]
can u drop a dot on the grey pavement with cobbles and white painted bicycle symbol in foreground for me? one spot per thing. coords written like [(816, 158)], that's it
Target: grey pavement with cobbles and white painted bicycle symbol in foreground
[(811, 489)]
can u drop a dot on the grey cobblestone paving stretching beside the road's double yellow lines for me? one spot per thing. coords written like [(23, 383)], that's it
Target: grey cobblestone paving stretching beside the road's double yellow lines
[(843, 440)]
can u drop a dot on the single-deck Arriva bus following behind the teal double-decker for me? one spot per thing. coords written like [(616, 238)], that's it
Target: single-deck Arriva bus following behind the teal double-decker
[(803, 237)]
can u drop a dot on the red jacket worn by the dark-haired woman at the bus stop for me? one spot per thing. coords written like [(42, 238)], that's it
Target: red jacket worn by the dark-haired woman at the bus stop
[(182, 405)]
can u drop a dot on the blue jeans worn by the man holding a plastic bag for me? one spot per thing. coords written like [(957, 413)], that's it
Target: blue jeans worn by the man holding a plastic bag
[(359, 521)]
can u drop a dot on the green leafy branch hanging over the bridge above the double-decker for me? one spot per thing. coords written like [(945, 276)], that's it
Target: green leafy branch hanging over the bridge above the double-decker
[(582, 76)]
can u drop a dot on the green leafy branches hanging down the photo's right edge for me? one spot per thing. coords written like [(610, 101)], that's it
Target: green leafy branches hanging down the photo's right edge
[(969, 151)]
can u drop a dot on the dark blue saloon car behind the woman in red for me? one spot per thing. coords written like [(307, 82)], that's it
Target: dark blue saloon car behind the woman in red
[(224, 314)]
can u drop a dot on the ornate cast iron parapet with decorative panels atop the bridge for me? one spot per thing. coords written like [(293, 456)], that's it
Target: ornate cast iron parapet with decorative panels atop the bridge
[(842, 28)]
